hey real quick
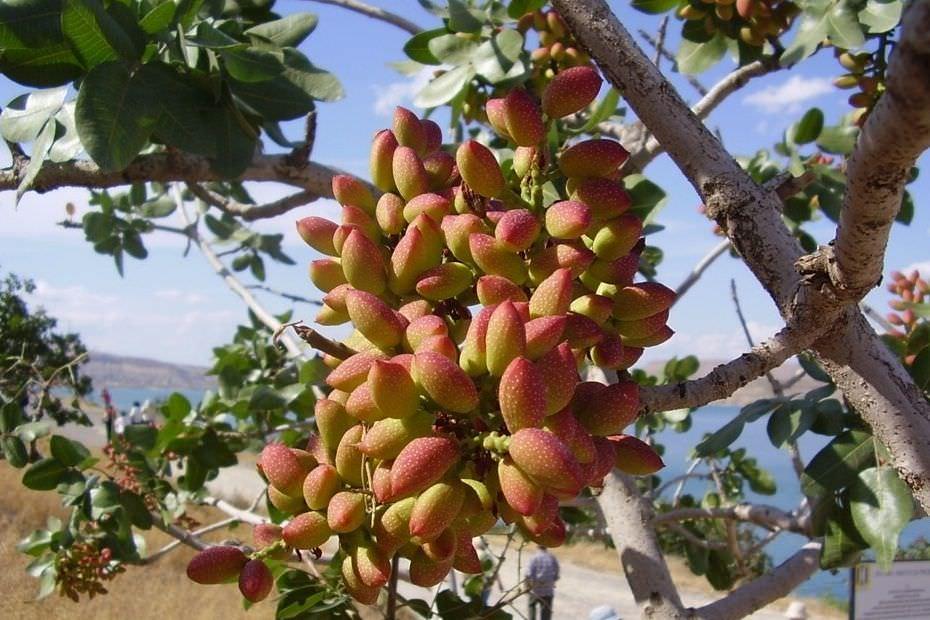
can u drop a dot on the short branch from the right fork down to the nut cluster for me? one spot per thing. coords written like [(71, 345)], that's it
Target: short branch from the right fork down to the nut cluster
[(725, 379)]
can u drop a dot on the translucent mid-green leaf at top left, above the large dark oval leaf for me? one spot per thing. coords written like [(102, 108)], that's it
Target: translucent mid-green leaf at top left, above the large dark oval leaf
[(94, 34)]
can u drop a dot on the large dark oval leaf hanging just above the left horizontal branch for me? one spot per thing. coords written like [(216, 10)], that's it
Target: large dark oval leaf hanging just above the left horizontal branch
[(115, 114)]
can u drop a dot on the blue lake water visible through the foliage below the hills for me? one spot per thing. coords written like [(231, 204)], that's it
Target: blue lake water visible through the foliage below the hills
[(677, 449)]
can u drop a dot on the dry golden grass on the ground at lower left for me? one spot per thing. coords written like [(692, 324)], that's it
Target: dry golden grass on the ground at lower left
[(160, 592)]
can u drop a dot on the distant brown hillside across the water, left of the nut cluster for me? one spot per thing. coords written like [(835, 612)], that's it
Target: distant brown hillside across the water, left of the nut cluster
[(108, 370)]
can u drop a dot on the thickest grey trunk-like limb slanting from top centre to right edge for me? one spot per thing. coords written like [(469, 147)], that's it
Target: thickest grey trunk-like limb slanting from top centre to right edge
[(879, 387)]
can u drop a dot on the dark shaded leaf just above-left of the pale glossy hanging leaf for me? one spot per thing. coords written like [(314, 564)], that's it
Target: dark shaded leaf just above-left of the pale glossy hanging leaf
[(838, 463)]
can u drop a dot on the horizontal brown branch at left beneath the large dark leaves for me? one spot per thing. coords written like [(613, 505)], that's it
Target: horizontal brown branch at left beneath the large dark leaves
[(168, 167)]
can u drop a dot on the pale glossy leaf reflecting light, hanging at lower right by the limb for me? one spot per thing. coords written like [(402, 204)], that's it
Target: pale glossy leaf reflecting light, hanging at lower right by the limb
[(881, 507)]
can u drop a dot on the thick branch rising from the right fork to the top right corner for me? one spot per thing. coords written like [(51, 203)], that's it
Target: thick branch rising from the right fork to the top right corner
[(895, 134)]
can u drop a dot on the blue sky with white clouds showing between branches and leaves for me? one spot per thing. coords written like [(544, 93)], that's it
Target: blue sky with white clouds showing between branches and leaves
[(174, 308)]
